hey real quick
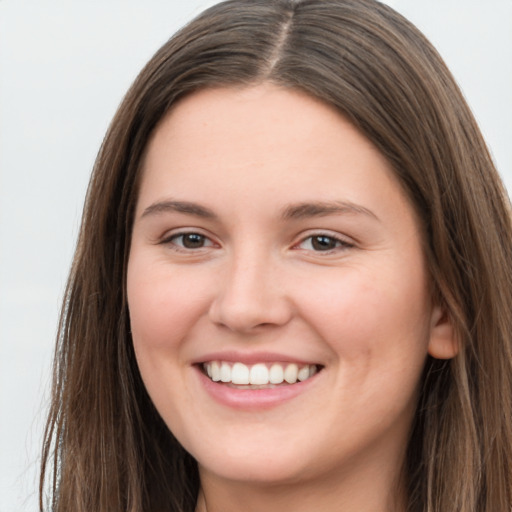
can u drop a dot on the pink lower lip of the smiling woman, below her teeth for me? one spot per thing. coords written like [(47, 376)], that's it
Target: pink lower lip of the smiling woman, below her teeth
[(254, 399)]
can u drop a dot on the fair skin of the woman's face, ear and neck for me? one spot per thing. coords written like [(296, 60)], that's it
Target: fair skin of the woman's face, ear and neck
[(255, 283)]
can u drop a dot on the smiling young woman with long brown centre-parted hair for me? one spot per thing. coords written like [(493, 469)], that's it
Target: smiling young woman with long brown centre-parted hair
[(292, 284)]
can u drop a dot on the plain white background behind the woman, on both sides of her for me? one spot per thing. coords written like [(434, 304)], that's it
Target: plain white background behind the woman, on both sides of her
[(64, 67)]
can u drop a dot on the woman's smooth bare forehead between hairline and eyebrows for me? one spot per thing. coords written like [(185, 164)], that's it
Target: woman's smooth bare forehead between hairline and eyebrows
[(240, 133)]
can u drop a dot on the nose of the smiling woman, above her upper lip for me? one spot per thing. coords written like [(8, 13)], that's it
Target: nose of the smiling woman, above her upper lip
[(251, 296)]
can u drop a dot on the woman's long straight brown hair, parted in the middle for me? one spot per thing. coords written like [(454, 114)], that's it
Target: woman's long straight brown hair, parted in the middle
[(106, 448)]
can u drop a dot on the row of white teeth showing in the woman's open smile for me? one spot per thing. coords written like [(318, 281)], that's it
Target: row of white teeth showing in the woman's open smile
[(258, 375)]
